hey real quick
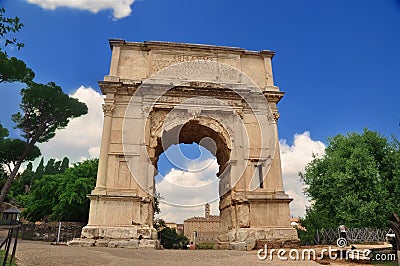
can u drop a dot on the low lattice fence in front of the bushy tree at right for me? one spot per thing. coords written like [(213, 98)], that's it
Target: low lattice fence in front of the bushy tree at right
[(354, 235)]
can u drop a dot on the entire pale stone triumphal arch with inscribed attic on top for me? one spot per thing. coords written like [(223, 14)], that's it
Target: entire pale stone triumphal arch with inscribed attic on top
[(158, 94)]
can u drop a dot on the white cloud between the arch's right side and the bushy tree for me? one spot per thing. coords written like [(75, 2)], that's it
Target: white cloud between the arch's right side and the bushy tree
[(294, 158)]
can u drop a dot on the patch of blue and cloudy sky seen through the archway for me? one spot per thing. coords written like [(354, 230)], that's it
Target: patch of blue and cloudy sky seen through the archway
[(186, 181)]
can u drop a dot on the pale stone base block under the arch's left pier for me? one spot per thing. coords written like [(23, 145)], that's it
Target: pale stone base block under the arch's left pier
[(118, 221)]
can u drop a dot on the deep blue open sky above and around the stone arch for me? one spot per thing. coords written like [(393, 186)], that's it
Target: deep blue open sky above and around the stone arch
[(338, 61)]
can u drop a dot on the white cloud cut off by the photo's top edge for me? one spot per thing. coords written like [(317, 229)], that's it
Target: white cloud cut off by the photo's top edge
[(121, 8)]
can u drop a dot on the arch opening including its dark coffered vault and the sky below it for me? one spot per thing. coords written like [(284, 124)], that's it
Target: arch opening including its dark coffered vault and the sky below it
[(189, 160)]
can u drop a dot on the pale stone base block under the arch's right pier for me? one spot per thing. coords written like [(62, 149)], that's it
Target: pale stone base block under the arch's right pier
[(258, 217)]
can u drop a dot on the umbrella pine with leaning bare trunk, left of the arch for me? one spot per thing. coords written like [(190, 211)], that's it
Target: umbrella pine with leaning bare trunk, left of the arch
[(45, 108)]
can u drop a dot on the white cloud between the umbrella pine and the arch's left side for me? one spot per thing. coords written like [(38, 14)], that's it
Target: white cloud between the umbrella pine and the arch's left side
[(81, 138)]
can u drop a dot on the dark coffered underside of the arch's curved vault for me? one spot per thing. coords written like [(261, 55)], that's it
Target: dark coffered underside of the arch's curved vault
[(194, 132)]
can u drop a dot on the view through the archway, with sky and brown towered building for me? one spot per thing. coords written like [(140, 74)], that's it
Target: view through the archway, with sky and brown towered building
[(188, 190)]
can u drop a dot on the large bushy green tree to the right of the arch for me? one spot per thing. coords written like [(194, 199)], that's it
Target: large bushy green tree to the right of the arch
[(356, 182)]
